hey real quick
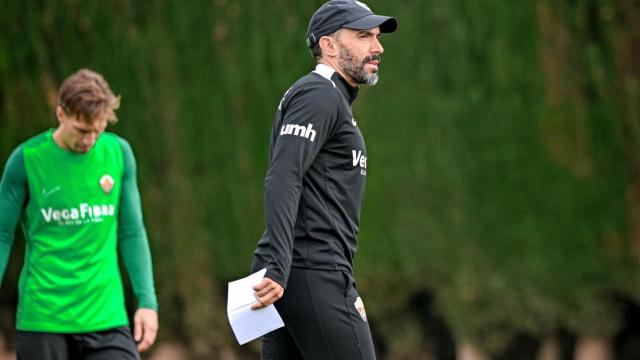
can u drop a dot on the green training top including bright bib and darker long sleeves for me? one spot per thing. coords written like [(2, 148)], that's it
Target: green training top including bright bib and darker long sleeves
[(76, 210)]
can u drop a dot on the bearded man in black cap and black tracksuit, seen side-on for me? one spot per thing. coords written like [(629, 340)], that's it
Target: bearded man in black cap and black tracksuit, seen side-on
[(313, 193)]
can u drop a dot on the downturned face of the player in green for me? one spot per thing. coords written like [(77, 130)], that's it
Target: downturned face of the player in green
[(77, 135)]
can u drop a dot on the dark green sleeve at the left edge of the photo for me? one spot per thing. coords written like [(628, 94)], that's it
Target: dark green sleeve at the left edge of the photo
[(13, 195)]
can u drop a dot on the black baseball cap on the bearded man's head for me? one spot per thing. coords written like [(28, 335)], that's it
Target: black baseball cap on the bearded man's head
[(337, 14)]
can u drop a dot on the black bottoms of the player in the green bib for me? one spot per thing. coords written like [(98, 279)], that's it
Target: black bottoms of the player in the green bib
[(112, 344)]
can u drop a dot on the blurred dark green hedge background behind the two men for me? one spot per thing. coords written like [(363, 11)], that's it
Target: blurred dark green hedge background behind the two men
[(502, 210)]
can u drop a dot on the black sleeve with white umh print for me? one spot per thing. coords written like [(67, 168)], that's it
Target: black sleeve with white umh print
[(308, 117)]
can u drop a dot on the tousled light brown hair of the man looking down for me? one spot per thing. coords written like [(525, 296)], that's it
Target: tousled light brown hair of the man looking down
[(87, 95)]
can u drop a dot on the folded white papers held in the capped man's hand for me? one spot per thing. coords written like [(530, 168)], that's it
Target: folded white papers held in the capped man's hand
[(250, 324)]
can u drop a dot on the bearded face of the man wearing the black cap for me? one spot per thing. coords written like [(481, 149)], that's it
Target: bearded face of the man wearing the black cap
[(359, 55)]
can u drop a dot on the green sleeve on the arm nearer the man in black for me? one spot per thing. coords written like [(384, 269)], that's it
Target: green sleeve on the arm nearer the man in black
[(132, 236)]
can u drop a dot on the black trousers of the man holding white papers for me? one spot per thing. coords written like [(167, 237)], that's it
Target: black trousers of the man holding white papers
[(322, 321)]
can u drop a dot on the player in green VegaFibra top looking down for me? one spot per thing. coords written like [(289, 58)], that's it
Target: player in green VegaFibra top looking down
[(74, 191)]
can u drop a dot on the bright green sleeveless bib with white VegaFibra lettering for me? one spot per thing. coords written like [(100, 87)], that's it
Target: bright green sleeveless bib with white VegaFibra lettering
[(71, 281)]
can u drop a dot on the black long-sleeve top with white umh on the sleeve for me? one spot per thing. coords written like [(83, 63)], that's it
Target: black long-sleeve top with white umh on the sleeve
[(315, 182)]
